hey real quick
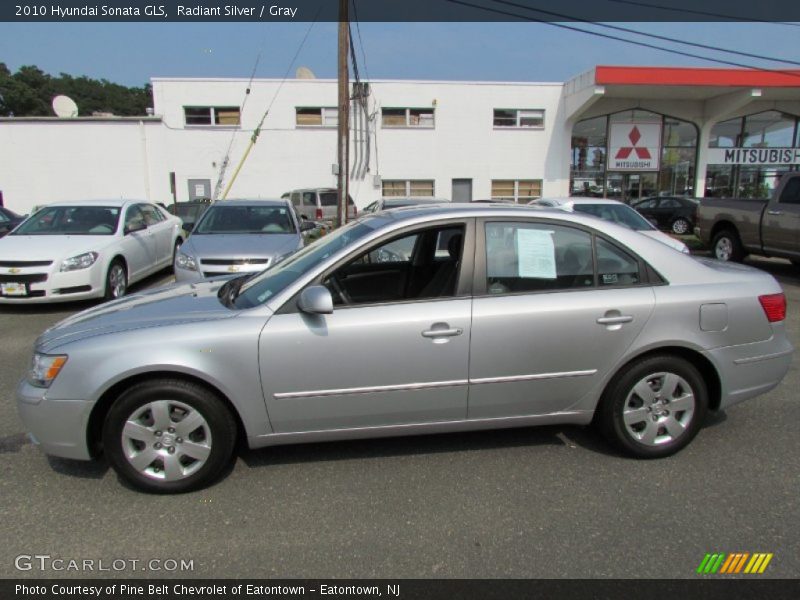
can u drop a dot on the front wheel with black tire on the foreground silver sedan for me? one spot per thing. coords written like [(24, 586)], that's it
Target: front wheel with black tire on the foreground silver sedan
[(166, 463)]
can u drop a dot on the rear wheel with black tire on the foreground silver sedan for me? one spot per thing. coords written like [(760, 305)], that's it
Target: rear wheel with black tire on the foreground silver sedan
[(645, 426)]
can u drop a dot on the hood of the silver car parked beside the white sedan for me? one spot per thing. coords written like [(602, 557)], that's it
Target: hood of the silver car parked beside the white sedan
[(251, 245)]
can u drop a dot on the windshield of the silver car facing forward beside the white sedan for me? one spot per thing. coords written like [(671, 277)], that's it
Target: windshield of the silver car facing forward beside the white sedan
[(221, 219)]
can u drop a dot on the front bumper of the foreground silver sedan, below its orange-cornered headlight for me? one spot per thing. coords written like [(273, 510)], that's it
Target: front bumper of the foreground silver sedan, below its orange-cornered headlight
[(58, 426)]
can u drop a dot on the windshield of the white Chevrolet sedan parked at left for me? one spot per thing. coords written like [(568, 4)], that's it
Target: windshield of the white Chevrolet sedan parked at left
[(71, 220)]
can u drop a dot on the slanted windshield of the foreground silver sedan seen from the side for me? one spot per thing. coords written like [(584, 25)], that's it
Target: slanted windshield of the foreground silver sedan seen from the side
[(278, 277)]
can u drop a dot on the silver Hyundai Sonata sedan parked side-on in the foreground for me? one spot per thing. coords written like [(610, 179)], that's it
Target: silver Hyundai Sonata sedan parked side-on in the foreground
[(490, 317)]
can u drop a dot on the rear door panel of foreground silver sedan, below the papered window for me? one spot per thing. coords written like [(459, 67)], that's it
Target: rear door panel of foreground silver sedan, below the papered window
[(553, 340)]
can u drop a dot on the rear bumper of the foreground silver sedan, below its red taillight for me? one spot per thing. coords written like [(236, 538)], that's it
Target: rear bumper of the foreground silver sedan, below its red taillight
[(749, 370)]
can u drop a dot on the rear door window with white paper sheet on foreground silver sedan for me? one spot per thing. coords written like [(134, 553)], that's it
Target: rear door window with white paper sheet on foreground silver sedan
[(527, 257)]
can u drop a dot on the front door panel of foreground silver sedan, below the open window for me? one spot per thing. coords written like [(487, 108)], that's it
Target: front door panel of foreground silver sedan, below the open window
[(320, 372)]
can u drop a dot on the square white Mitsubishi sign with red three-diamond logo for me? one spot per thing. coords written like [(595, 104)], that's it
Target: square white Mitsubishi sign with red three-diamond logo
[(634, 146)]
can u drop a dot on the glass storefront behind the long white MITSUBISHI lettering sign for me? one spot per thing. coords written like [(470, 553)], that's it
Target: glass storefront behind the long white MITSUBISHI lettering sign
[(769, 129)]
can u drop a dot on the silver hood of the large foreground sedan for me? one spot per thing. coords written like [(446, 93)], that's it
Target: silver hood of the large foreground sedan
[(176, 304)]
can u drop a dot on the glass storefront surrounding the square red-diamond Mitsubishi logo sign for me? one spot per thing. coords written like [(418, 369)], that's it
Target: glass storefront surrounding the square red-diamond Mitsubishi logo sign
[(675, 175)]
